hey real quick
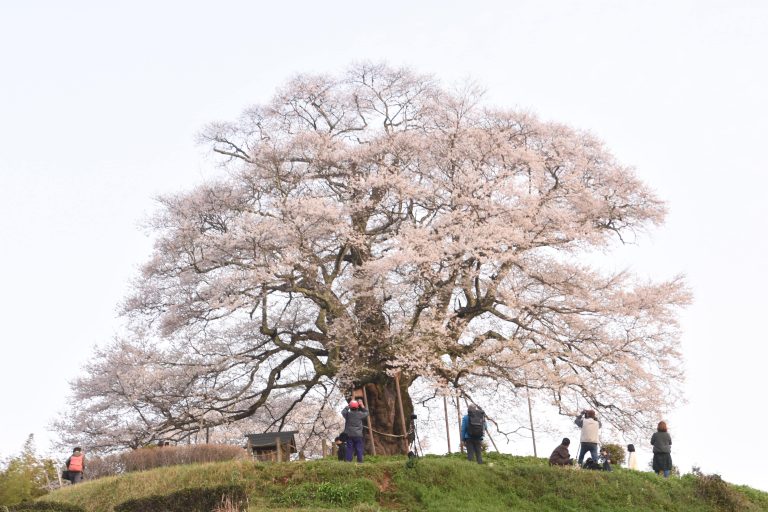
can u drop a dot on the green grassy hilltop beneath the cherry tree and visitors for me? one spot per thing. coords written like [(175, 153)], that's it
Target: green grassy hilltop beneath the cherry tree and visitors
[(435, 483)]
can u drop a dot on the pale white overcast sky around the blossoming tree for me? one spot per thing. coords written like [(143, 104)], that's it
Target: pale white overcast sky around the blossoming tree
[(100, 104)]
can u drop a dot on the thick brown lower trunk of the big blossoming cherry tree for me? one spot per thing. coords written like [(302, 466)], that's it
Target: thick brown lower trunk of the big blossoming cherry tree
[(385, 416)]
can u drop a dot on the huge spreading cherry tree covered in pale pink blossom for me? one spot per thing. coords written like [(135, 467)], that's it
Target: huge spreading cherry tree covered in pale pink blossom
[(375, 229)]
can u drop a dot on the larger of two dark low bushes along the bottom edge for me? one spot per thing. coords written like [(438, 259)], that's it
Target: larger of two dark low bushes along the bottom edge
[(193, 499)]
